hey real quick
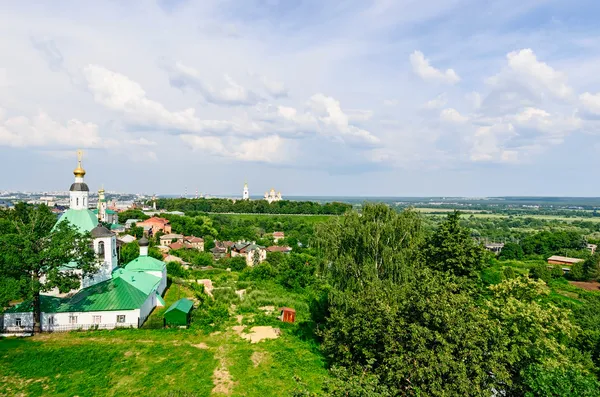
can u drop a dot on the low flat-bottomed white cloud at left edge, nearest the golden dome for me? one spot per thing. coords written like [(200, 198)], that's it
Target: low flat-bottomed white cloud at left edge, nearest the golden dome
[(41, 130)]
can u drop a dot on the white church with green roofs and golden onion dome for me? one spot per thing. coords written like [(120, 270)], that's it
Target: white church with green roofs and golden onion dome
[(111, 297)]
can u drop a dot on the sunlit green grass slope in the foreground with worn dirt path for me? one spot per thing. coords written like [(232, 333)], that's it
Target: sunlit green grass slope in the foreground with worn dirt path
[(170, 362)]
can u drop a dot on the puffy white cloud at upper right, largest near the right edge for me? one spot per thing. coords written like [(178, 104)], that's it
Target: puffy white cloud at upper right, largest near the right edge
[(527, 70)]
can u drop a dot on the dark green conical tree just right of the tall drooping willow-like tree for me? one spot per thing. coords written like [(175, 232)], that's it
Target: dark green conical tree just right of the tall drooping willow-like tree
[(451, 249)]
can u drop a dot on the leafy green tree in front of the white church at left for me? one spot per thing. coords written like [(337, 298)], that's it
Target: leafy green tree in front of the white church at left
[(34, 255)]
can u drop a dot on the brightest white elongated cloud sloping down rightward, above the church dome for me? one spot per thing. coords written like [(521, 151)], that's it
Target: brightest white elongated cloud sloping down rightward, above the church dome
[(119, 93)]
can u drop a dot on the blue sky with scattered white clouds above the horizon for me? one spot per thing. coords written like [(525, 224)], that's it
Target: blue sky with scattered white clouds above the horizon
[(310, 97)]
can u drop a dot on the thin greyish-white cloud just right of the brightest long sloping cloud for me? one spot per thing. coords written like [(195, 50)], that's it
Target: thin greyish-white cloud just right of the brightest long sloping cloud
[(232, 93)]
